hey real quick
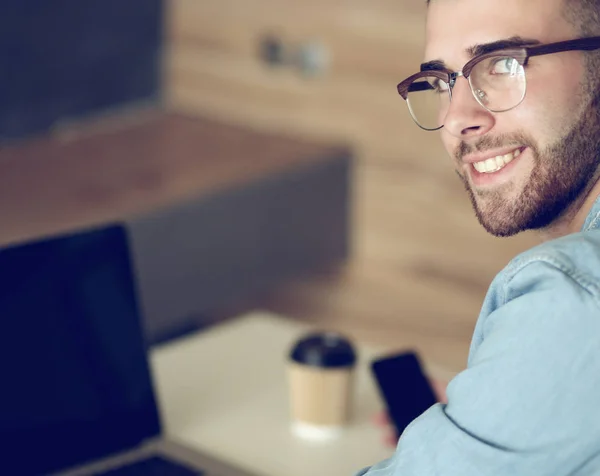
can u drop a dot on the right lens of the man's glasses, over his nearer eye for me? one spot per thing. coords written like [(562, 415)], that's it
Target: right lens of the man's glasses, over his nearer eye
[(498, 83)]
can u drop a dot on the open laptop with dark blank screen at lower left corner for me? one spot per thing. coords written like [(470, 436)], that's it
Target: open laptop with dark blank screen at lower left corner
[(76, 393)]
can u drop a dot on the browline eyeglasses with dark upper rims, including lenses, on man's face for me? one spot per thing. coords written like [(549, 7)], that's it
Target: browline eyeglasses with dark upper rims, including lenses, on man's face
[(497, 81)]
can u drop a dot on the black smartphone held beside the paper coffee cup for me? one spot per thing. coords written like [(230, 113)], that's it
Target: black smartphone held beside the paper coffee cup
[(404, 387)]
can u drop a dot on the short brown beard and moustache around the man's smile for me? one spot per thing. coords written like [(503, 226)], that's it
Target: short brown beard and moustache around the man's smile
[(561, 174)]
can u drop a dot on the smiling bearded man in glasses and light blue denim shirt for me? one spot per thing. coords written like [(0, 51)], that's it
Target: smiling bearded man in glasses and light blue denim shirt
[(521, 123)]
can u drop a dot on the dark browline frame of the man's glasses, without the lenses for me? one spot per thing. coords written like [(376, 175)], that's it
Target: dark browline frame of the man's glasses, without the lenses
[(521, 54)]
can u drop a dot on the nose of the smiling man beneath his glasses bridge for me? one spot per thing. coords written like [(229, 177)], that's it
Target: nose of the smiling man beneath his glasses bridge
[(465, 117)]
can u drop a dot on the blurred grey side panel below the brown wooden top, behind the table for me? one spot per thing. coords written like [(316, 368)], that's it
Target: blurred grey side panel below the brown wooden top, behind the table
[(197, 257)]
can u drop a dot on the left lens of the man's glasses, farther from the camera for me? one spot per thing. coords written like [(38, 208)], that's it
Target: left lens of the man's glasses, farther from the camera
[(427, 98)]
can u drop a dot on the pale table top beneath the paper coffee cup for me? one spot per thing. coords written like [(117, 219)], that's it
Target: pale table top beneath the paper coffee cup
[(224, 391)]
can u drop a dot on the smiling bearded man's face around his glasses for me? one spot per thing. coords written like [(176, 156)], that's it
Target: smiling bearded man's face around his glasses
[(553, 136)]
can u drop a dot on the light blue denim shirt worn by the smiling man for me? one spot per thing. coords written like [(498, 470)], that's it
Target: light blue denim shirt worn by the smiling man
[(528, 403)]
